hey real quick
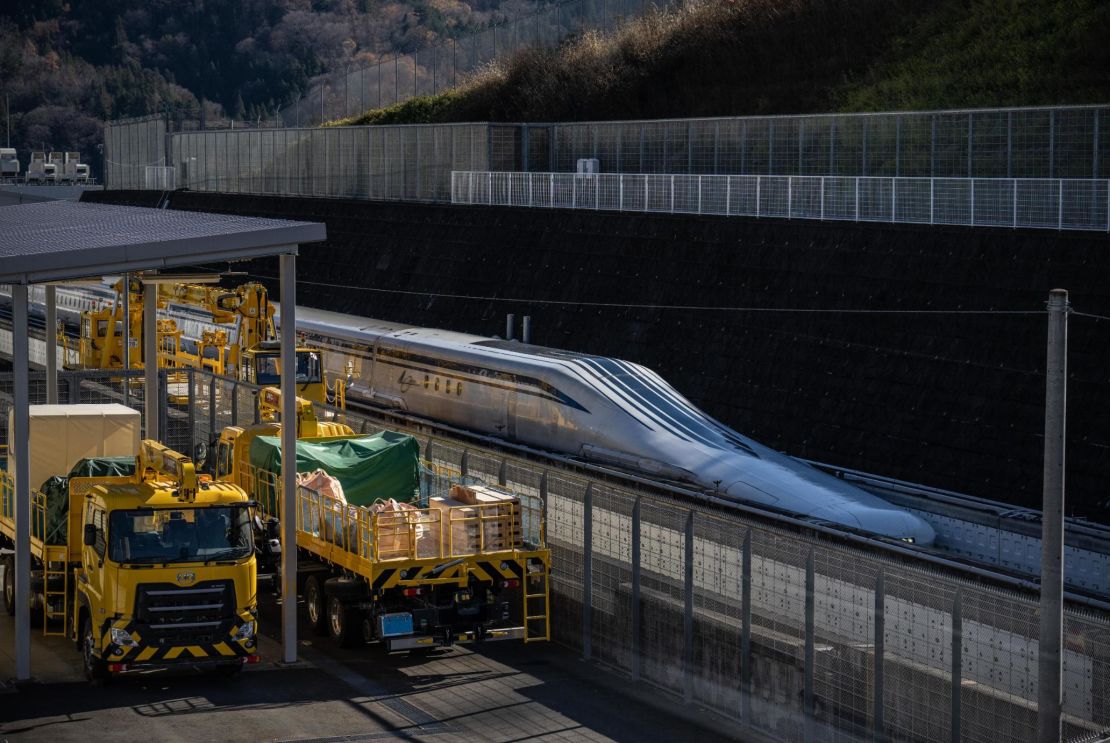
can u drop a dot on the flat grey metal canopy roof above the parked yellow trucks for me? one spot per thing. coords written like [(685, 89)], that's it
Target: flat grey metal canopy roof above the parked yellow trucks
[(66, 240)]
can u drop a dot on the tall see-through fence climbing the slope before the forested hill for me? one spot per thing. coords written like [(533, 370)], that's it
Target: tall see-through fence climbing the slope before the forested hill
[(443, 66)]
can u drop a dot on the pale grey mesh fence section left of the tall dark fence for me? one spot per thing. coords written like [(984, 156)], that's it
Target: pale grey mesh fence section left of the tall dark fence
[(411, 163)]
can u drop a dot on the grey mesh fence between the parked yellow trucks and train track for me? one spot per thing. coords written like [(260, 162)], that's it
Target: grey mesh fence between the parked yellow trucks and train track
[(792, 634)]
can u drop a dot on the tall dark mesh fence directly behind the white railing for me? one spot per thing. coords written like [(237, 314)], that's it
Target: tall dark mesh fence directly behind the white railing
[(1018, 143)]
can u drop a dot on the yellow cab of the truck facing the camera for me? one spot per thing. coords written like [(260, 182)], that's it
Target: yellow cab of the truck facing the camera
[(167, 570)]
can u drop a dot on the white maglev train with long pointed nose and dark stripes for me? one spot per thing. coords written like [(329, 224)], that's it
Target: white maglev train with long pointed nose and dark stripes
[(602, 410)]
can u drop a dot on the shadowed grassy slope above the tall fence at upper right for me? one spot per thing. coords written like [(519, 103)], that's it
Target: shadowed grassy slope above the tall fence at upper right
[(756, 57)]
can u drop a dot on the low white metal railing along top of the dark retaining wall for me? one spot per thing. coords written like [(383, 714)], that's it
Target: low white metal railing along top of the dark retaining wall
[(1013, 203)]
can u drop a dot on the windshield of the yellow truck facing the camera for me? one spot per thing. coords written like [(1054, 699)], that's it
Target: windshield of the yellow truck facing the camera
[(186, 535)]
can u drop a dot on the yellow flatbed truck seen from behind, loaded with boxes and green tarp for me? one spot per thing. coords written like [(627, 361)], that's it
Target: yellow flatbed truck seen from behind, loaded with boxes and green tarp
[(385, 555)]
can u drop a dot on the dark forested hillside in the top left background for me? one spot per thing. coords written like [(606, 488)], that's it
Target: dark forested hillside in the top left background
[(68, 66)]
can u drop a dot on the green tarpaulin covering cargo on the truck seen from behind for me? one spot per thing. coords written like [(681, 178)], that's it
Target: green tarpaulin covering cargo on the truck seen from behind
[(370, 468)]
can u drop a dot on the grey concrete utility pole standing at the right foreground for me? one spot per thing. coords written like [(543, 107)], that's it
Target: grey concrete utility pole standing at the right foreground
[(1051, 661)]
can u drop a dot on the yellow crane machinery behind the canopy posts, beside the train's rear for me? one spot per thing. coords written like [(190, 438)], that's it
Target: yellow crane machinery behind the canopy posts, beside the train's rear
[(227, 332)]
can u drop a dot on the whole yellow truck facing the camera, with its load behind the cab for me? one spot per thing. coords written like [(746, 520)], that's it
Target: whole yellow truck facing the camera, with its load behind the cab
[(150, 567)]
